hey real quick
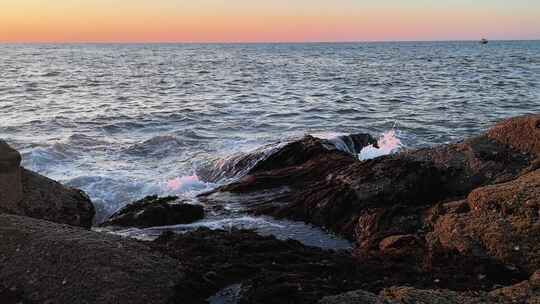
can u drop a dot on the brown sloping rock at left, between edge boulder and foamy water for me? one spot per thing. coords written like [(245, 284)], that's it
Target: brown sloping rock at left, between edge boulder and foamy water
[(44, 198)]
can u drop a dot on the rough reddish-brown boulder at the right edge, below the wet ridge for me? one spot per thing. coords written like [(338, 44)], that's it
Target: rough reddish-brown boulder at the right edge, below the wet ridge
[(503, 224)]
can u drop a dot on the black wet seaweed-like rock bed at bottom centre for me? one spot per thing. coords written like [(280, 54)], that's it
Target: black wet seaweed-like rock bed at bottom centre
[(213, 260)]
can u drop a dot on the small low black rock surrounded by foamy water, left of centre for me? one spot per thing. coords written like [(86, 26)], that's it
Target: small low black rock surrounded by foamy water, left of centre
[(153, 211)]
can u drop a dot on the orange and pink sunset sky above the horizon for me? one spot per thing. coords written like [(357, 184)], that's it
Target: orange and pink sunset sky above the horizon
[(266, 21)]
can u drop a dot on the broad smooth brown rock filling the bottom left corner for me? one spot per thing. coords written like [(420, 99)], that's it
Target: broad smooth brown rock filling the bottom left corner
[(46, 262)]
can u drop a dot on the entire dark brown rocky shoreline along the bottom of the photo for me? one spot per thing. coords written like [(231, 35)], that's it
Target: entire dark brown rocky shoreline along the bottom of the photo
[(457, 223)]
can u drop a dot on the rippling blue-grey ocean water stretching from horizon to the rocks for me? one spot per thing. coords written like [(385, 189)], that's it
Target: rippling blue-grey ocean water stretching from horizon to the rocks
[(125, 121)]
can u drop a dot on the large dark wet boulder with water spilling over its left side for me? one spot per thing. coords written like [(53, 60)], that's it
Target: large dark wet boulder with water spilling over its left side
[(335, 190)]
